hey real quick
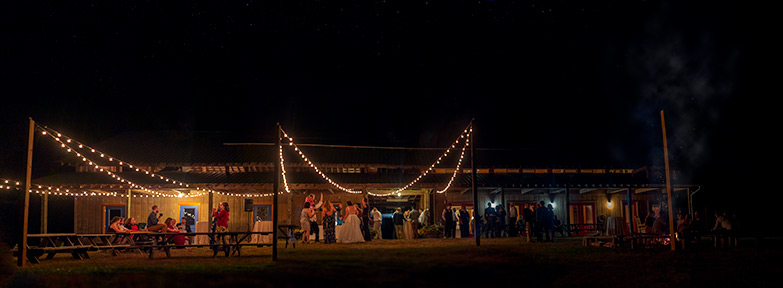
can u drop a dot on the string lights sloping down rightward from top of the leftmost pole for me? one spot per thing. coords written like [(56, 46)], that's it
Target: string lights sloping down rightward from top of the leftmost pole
[(202, 191)]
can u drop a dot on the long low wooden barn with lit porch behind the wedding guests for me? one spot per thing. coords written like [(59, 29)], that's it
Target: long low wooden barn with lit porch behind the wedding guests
[(241, 171)]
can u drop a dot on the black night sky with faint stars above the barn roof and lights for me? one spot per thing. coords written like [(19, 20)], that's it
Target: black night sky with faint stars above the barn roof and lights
[(581, 80)]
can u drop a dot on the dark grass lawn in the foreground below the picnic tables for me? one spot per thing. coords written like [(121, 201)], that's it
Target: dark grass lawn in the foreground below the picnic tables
[(425, 262)]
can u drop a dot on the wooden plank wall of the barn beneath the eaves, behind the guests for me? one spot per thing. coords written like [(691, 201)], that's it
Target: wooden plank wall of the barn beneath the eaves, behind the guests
[(90, 210)]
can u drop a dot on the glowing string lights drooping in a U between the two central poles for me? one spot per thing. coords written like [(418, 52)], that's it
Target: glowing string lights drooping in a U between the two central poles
[(465, 134)]
